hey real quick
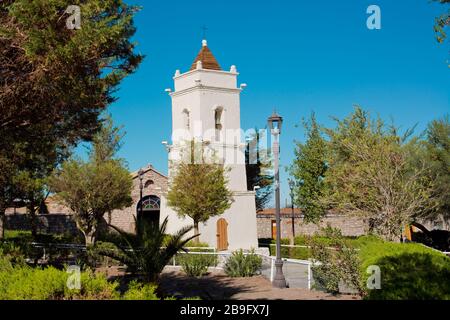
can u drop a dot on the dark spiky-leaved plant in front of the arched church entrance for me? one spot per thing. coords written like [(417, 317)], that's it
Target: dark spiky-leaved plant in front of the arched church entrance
[(148, 250)]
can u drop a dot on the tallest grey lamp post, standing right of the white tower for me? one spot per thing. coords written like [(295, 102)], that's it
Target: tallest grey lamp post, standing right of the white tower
[(275, 121)]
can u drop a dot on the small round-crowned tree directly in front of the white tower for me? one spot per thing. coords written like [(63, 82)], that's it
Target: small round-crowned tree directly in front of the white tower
[(198, 190)]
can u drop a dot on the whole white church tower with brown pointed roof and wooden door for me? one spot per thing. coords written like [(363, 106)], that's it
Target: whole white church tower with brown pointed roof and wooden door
[(206, 108)]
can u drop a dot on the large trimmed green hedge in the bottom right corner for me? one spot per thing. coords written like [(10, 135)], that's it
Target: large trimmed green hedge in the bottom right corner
[(408, 271)]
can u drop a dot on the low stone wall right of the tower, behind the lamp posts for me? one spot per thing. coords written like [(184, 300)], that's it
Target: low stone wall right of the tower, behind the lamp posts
[(350, 226)]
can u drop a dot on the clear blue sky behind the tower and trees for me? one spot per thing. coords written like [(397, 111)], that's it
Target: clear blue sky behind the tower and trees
[(297, 56)]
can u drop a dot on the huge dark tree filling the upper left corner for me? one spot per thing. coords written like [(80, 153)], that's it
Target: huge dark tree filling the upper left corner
[(54, 82)]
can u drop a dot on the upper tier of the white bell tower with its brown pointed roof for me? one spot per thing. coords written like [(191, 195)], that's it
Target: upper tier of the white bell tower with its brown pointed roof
[(206, 108)]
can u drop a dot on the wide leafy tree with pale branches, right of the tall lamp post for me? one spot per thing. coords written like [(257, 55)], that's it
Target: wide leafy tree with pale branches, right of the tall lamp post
[(370, 174)]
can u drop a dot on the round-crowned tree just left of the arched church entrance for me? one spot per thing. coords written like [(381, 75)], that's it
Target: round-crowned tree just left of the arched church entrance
[(92, 189)]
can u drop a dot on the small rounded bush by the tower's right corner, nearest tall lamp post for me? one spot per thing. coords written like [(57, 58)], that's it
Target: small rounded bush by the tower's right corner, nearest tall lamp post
[(243, 265)]
